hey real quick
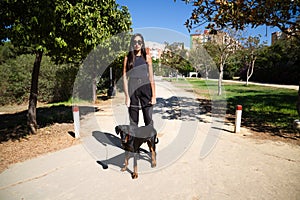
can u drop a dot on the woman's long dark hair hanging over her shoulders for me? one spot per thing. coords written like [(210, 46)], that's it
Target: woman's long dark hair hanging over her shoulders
[(131, 55)]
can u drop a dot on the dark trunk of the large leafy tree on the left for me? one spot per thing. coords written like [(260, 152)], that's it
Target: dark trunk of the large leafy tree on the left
[(31, 120)]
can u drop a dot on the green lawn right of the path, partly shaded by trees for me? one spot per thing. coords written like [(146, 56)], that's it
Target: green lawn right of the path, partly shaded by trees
[(265, 109)]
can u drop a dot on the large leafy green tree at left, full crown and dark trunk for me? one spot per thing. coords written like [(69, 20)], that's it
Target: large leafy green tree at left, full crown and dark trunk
[(65, 30)]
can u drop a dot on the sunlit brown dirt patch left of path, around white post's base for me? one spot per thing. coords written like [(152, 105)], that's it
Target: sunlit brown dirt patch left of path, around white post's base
[(48, 139)]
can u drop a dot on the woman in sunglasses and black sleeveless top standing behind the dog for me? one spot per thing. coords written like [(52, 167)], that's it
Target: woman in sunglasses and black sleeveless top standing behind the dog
[(138, 80)]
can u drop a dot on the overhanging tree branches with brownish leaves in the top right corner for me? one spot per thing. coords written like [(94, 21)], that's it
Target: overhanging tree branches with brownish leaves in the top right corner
[(219, 14)]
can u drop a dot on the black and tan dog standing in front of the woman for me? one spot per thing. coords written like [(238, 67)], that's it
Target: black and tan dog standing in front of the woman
[(132, 138)]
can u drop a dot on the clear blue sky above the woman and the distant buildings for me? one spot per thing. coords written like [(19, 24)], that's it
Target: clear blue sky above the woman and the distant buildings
[(163, 20)]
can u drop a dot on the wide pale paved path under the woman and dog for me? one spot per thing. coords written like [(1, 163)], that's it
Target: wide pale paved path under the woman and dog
[(233, 167)]
